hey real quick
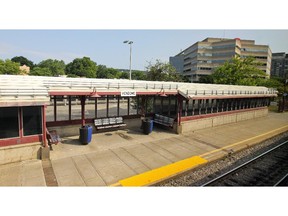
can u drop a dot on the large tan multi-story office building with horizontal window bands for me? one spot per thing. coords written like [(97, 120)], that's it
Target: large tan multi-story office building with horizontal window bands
[(203, 57)]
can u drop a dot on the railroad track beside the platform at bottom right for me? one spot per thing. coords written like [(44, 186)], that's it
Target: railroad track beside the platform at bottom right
[(268, 169)]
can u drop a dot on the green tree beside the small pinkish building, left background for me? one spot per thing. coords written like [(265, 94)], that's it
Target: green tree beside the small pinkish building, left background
[(55, 66)]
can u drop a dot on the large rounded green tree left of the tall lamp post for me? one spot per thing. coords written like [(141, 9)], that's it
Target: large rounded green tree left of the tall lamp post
[(82, 67)]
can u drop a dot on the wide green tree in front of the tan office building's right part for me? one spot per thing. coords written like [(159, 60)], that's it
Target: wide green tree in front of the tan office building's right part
[(239, 71)]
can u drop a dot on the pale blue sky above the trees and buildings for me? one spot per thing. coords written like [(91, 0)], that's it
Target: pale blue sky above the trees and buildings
[(106, 46)]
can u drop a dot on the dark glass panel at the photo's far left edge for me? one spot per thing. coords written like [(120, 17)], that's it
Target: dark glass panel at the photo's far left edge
[(9, 125)]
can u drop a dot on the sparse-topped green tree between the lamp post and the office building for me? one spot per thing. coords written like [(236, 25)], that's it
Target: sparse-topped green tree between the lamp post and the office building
[(162, 72)]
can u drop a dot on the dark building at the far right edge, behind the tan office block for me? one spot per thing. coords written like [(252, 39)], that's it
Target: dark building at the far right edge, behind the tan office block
[(279, 65)]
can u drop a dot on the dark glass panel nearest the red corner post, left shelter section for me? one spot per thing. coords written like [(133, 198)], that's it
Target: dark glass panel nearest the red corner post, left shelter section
[(32, 120)]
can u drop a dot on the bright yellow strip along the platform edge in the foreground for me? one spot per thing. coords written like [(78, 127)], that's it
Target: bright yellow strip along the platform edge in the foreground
[(156, 175)]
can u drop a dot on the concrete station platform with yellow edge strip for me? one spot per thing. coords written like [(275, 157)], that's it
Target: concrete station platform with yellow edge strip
[(130, 158)]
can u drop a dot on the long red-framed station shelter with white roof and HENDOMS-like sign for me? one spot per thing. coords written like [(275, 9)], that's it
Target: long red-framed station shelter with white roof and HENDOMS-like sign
[(31, 104)]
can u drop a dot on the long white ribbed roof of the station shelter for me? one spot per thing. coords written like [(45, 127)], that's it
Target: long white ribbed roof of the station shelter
[(29, 90)]
